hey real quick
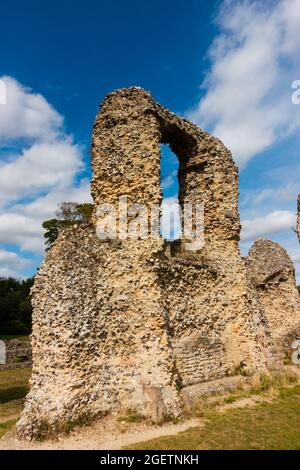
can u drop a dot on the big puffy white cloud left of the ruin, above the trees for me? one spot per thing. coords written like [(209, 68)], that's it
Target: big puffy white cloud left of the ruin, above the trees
[(36, 178)]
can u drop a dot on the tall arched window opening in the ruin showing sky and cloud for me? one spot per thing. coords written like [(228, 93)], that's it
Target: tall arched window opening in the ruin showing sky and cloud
[(170, 221)]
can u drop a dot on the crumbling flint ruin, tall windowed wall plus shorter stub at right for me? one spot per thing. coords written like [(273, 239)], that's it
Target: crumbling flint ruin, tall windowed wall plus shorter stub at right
[(129, 324)]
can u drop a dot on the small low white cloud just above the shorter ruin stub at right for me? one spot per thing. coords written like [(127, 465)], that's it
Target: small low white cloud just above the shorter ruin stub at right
[(274, 222)]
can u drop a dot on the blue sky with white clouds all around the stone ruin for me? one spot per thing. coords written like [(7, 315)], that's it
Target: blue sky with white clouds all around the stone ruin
[(226, 65)]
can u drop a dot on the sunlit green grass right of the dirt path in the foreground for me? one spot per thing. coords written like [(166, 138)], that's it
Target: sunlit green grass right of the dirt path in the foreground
[(269, 425)]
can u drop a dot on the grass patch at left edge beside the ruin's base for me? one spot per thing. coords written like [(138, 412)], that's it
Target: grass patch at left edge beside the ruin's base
[(13, 389)]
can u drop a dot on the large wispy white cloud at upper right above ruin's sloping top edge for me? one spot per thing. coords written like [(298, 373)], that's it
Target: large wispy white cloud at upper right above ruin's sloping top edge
[(254, 59)]
